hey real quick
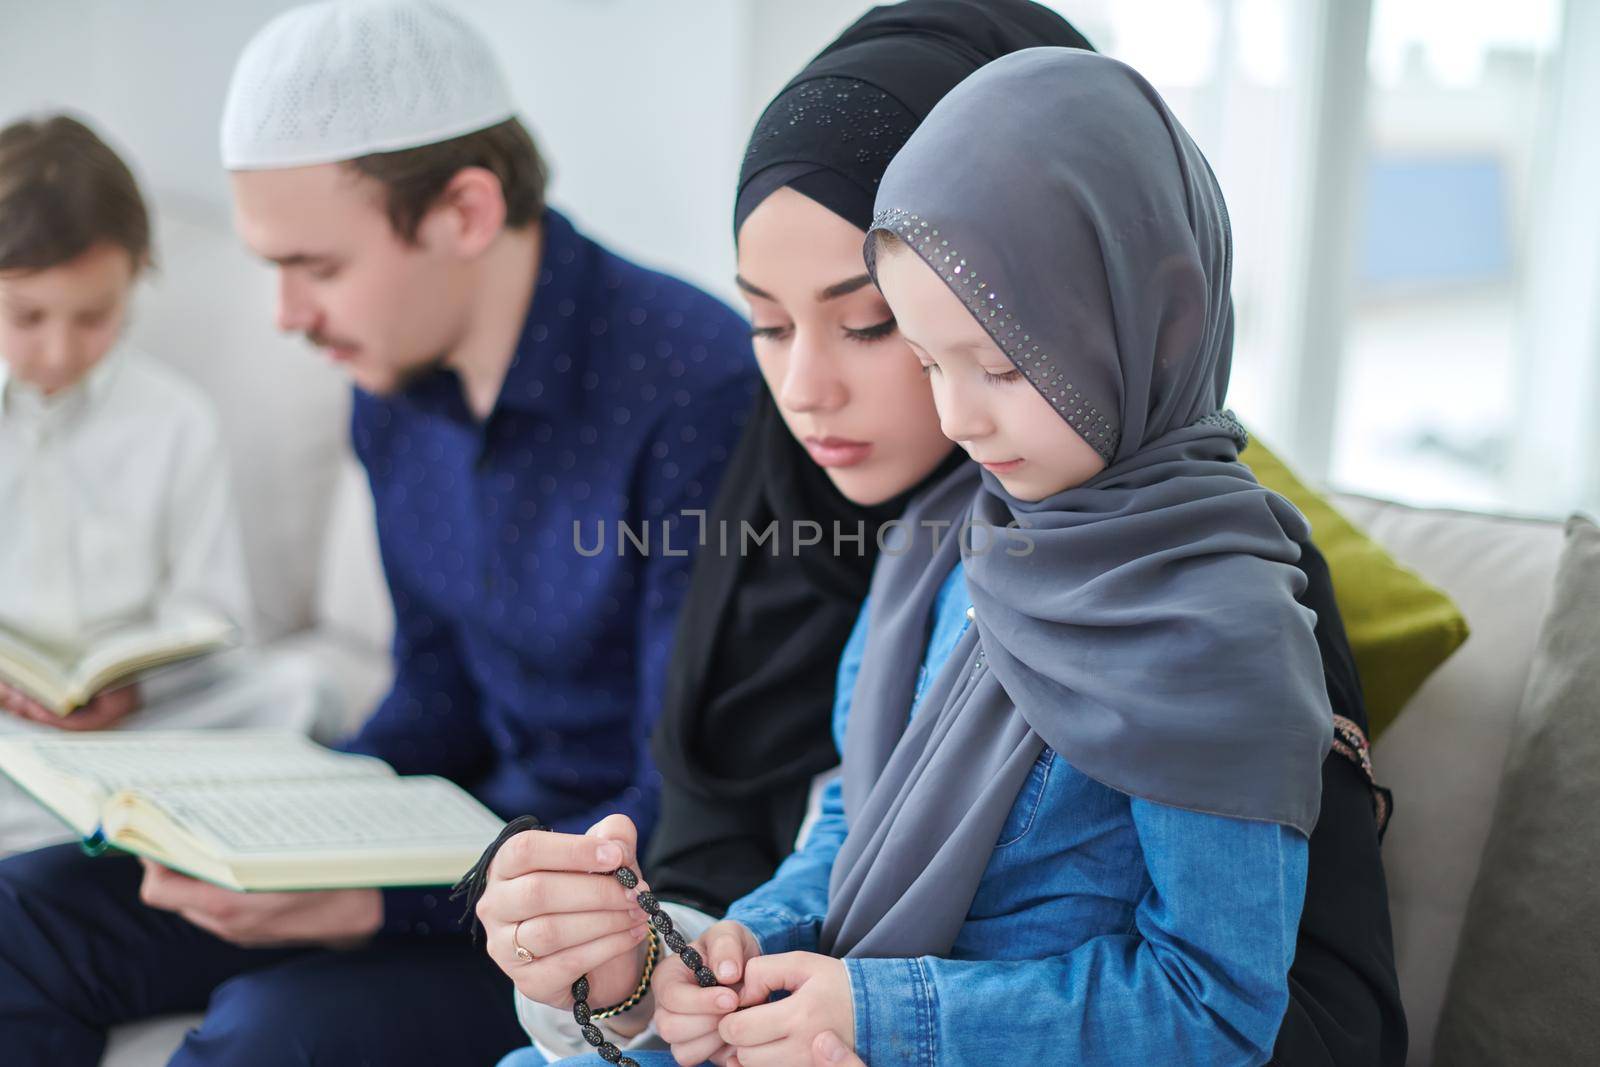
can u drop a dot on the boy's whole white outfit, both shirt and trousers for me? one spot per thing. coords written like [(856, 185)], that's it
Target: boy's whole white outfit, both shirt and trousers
[(116, 508)]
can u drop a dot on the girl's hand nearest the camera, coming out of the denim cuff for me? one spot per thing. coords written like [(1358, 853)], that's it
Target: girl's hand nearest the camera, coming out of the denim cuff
[(786, 1033)]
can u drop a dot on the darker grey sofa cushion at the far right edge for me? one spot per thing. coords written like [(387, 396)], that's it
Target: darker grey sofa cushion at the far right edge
[(1529, 967)]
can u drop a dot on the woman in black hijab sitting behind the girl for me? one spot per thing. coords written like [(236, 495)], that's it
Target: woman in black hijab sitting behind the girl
[(745, 732)]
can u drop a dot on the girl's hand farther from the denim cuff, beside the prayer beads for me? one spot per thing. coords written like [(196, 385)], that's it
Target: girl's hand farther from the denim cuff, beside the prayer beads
[(687, 1015)]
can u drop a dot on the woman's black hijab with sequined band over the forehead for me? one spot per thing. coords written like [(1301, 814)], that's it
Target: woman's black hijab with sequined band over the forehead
[(746, 722)]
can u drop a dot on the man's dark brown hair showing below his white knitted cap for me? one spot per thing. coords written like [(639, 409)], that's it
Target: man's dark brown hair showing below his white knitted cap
[(415, 178)]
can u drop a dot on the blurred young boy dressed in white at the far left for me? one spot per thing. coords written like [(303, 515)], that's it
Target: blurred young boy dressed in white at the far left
[(114, 489)]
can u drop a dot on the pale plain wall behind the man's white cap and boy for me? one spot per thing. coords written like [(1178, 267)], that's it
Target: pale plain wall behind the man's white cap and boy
[(638, 105)]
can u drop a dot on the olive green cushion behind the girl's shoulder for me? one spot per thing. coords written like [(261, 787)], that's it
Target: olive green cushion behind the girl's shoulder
[(1401, 626)]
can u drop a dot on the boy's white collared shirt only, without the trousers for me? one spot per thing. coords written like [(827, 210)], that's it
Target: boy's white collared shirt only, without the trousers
[(118, 505)]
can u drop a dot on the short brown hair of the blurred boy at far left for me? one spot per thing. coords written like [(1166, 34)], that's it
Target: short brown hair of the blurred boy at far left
[(65, 191)]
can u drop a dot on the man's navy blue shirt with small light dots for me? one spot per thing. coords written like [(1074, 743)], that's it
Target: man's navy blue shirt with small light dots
[(529, 666)]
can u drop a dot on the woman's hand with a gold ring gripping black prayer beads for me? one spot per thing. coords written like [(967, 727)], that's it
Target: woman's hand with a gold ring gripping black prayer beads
[(554, 897)]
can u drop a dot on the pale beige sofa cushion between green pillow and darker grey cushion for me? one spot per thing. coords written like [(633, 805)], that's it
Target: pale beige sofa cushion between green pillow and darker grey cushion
[(1444, 756)]
